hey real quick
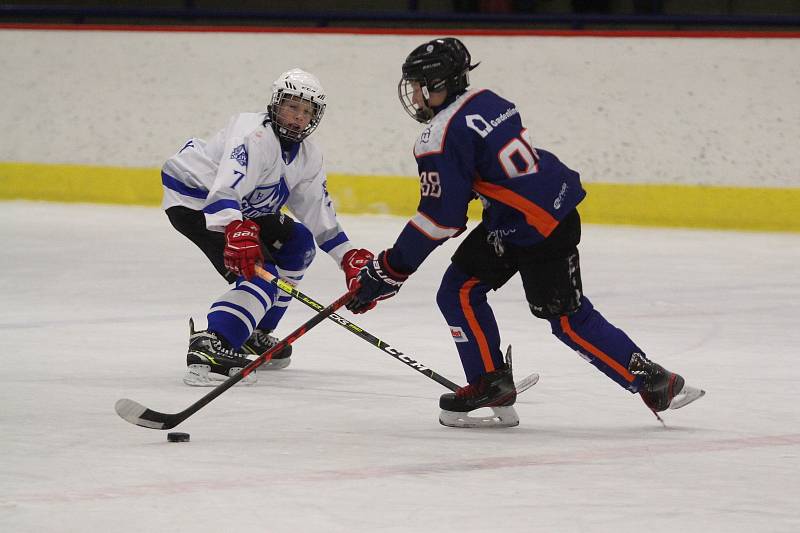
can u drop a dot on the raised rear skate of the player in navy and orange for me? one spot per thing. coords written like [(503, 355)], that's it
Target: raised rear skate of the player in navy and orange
[(662, 389)]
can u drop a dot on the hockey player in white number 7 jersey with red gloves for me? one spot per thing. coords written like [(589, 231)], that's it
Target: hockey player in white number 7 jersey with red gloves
[(226, 196)]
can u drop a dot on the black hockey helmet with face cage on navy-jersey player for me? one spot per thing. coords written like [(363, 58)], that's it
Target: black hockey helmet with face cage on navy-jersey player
[(440, 64)]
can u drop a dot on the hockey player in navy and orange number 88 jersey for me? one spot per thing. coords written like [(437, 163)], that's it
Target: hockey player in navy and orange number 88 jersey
[(475, 143)]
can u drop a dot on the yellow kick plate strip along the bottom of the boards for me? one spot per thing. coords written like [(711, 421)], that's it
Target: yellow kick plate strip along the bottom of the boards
[(668, 205)]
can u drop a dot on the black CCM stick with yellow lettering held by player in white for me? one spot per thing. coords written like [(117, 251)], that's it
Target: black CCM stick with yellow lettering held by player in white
[(288, 288)]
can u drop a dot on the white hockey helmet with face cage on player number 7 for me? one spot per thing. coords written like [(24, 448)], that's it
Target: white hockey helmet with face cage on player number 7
[(296, 84)]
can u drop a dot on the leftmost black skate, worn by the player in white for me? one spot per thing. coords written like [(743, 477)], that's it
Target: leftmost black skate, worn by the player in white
[(211, 359)]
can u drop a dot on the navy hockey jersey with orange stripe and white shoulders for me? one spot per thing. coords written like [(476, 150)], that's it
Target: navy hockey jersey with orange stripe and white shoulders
[(478, 145)]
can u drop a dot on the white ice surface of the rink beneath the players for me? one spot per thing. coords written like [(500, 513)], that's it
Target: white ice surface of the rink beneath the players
[(95, 304)]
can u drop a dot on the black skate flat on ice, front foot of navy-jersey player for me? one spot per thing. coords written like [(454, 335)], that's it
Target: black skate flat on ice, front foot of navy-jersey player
[(495, 390)]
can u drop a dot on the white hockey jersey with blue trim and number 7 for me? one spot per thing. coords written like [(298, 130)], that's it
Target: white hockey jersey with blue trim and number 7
[(243, 173)]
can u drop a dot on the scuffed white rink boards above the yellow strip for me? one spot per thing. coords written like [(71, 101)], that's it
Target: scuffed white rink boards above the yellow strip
[(667, 110)]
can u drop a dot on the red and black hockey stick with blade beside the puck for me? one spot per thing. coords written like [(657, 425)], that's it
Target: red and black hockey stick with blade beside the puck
[(137, 414)]
